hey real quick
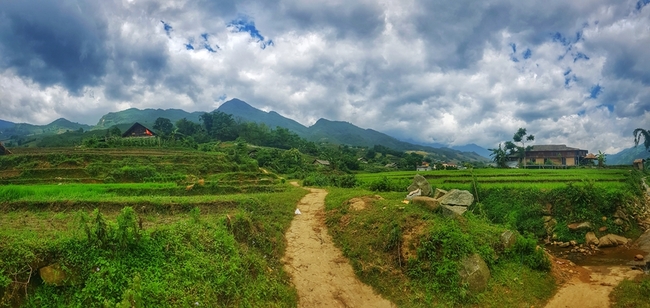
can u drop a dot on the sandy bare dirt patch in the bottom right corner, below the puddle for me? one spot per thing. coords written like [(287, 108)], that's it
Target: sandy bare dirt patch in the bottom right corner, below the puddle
[(591, 287)]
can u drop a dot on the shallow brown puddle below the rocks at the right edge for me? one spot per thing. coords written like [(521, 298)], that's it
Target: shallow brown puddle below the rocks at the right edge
[(611, 256)]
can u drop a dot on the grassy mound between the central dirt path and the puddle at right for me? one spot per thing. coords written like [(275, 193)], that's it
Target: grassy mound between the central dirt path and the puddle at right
[(411, 255)]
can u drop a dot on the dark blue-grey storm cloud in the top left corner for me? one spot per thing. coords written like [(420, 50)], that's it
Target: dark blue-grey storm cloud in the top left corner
[(53, 42)]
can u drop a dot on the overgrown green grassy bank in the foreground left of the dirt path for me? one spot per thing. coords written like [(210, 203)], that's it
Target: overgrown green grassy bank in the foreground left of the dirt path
[(228, 256)]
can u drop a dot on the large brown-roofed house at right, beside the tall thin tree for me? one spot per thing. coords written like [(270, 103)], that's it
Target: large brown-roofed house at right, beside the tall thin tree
[(556, 154)]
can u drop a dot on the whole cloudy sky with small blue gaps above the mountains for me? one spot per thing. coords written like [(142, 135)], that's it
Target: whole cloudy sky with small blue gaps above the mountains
[(453, 72)]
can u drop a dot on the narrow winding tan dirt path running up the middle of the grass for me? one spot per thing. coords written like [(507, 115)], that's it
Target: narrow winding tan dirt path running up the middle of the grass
[(322, 276)]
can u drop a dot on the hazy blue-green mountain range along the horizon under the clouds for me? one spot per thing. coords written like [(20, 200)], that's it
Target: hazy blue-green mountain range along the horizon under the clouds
[(323, 131)]
